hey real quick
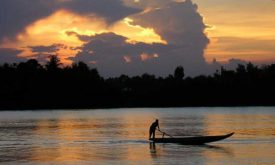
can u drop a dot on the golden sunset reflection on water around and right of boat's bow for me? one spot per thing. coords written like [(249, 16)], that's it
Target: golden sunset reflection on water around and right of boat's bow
[(252, 142)]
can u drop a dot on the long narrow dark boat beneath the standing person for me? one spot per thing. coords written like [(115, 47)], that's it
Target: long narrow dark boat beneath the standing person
[(196, 140)]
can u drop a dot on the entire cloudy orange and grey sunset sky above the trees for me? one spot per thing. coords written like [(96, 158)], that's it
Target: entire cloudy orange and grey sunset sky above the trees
[(139, 36)]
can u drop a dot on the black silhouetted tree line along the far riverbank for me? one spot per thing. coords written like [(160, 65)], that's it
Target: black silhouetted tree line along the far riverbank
[(30, 85)]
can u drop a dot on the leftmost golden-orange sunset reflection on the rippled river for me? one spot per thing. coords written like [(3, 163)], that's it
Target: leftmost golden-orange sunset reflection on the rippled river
[(62, 131)]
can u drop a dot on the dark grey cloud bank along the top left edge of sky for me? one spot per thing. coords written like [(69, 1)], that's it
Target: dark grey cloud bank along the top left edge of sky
[(15, 15)]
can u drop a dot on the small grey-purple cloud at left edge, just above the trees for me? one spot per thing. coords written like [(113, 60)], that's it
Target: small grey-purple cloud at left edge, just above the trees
[(8, 55)]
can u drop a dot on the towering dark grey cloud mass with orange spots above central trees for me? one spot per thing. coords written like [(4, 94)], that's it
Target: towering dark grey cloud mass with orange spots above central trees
[(178, 23)]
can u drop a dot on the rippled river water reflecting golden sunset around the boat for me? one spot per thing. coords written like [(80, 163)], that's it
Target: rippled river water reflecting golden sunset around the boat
[(119, 136)]
